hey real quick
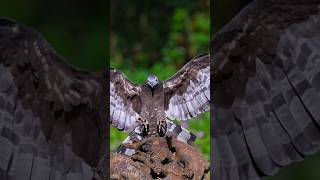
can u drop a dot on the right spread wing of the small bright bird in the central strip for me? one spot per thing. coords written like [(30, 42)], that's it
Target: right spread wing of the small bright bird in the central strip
[(187, 93)]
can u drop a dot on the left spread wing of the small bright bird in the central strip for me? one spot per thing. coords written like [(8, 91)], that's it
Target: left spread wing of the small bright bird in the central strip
[(125, 101)]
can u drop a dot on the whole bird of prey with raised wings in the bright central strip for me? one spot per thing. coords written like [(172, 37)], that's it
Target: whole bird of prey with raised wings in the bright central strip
[(146, 109)]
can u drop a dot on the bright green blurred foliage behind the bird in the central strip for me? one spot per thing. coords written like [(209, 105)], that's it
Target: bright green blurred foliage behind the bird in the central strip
[(159, 37)]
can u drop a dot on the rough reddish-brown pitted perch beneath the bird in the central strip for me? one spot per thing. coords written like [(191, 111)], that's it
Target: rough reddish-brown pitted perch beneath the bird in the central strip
[(160, 158)]
